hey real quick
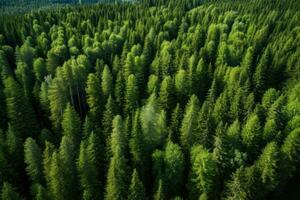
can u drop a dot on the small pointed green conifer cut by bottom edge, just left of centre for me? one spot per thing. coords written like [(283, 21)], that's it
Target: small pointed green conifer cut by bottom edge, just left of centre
[(136, 189)]
